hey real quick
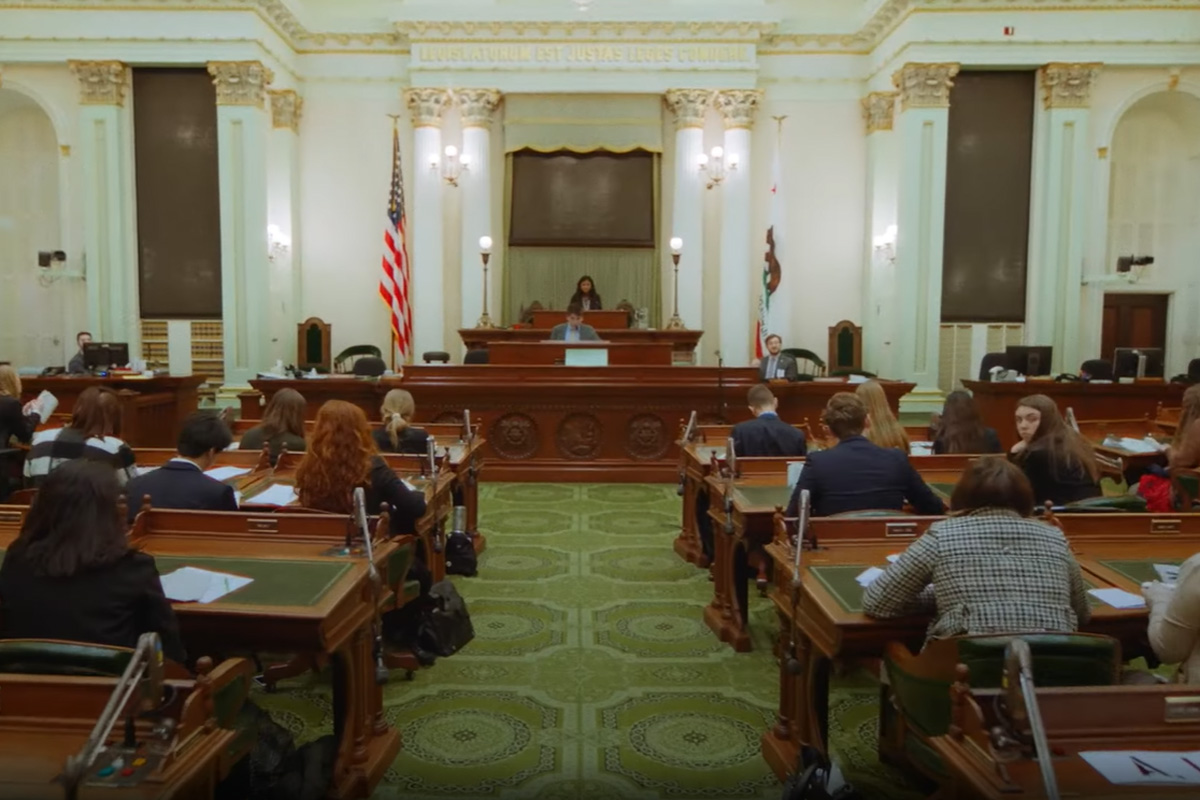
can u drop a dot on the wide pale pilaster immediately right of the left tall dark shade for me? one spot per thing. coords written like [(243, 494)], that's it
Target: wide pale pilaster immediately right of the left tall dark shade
[(243, 135)]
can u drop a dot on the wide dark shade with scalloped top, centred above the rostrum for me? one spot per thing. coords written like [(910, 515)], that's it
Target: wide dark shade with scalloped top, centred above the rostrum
[(593, 200)]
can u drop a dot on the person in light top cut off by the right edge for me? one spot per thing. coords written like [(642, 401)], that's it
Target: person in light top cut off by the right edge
[(1175, 621)]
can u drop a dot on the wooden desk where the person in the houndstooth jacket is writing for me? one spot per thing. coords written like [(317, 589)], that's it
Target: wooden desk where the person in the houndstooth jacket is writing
[(827, 622)]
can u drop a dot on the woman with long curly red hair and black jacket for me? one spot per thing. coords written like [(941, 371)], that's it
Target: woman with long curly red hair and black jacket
[(341, 458)]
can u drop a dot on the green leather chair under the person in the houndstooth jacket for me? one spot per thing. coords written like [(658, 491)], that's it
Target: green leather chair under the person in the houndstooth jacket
[(916, 705)]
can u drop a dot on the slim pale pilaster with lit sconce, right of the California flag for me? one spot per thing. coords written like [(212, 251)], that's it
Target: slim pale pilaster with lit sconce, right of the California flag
[(879, 315)]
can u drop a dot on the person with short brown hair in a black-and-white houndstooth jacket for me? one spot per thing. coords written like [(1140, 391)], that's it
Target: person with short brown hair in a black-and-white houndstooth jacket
[(993, 569)]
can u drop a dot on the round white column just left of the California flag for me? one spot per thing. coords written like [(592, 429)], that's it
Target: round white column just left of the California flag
[(740, 267)]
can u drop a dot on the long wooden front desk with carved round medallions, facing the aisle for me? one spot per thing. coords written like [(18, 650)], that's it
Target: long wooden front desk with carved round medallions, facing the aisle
[(575, 424)]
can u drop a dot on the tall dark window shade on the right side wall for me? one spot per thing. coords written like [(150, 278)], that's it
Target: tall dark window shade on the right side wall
[(988, 167)]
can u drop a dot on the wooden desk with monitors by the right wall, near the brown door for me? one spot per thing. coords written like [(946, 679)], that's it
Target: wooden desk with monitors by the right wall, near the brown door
[(998, 401)]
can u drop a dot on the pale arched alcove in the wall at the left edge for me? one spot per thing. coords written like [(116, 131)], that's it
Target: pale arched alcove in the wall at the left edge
[(29, 222)]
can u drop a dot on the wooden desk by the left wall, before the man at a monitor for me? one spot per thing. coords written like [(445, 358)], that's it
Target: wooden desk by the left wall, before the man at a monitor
[(153, 410)]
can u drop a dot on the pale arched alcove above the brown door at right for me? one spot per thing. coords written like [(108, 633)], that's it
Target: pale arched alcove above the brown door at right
[(1155, 207)]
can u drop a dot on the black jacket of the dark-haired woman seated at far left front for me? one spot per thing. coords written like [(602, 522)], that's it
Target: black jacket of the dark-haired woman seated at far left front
[(113, 605)]
